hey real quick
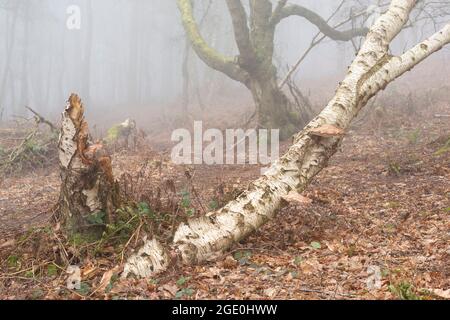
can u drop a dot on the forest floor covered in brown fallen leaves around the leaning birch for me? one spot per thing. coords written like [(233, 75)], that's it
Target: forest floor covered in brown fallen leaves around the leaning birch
[(379, 211)]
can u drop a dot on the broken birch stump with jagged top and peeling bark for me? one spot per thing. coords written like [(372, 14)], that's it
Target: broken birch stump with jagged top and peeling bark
[(89, 194)]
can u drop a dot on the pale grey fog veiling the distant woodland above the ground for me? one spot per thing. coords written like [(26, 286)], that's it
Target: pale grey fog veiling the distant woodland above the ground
[(127, 56)]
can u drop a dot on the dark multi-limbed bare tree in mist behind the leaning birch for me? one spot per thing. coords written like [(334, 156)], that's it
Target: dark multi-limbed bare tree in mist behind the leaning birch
[(254, 34)]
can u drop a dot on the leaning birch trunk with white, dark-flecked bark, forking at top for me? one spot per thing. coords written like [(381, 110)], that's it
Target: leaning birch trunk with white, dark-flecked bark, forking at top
[(372, 70)]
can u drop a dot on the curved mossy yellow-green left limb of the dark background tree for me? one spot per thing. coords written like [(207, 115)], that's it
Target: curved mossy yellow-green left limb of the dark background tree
[(207, 54)]
